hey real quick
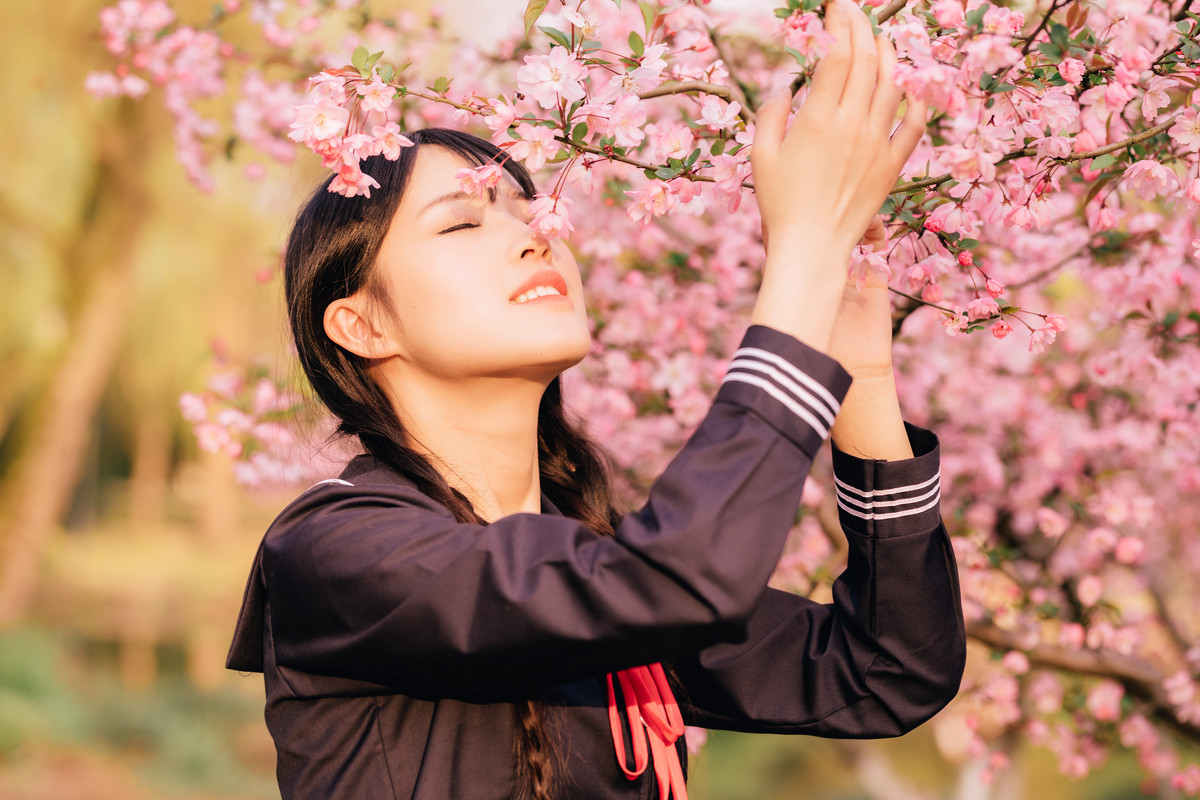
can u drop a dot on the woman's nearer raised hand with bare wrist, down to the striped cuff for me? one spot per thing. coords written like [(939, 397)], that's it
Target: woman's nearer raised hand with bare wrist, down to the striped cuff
[(820, 183)]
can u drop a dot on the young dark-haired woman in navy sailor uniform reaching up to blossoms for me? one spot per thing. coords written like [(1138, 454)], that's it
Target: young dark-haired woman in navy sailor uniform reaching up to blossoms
[(463, 613)]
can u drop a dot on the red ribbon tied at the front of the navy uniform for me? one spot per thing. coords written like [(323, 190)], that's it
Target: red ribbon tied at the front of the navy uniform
[(650, 701)]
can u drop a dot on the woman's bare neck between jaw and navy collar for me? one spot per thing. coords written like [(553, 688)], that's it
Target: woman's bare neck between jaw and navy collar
[(482, 435)]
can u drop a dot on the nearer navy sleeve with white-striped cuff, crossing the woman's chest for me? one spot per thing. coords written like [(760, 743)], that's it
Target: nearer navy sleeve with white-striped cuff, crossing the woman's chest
[(387, 587)]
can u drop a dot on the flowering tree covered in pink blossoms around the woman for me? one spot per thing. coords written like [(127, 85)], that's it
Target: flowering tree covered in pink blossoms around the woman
[(1043, 252)]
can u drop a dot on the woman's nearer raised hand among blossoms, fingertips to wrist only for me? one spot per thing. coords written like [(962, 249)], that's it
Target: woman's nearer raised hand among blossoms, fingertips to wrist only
[(823, 181)]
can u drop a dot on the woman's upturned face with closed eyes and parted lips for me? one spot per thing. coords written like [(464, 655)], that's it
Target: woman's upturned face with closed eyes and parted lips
[(458, 272)]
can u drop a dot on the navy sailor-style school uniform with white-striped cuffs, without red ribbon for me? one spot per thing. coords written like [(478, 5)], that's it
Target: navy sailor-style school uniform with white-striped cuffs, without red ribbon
[(397, 640)]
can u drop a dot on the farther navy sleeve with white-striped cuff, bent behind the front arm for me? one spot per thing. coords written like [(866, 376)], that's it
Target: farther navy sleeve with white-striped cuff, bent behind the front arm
[(885, 655)]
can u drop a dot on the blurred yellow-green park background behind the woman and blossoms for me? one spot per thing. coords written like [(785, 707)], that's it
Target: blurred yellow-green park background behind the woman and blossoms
[(124, 548)]
